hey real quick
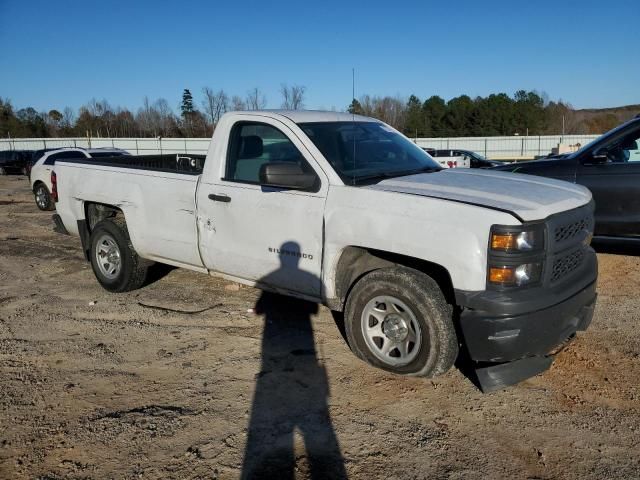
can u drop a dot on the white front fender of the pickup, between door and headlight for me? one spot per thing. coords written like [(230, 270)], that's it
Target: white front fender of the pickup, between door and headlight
[(449, 234)]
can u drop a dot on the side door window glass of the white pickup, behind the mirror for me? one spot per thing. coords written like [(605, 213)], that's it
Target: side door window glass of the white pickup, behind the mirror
[(255, 144)]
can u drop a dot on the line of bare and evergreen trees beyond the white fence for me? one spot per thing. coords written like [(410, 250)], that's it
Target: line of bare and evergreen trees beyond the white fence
[(524, 113)]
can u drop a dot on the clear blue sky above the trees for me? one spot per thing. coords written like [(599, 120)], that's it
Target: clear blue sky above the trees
[(59, 53)]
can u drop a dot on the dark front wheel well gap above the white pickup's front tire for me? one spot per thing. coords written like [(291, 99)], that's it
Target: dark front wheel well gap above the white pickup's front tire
[(355, 262)]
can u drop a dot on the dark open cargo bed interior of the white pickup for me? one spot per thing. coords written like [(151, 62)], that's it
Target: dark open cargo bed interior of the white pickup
[(184, 163)]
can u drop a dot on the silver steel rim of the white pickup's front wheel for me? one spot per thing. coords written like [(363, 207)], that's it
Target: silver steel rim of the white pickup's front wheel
[(391, 330)]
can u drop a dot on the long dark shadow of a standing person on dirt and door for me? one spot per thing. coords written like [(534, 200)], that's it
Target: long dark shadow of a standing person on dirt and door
[(291, 392)]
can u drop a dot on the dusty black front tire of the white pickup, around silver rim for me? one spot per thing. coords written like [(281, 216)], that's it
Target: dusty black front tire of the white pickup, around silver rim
[(438, 344)]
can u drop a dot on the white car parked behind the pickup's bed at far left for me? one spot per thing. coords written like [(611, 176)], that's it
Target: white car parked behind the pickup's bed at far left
[(41, 170)]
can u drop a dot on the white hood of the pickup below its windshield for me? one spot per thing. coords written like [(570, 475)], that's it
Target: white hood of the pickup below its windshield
[(526, 197)]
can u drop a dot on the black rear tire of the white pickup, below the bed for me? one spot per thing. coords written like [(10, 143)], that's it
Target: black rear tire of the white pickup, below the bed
[(132, 271)]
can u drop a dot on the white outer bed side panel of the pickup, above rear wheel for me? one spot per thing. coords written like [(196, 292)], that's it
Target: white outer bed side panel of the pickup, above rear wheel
[(159, 207)]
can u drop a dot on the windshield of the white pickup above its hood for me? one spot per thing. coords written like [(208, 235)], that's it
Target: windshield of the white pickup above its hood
[(364, 152)]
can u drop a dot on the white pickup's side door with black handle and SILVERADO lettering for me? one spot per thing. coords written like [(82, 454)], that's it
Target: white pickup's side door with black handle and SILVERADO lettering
[(260, 233)]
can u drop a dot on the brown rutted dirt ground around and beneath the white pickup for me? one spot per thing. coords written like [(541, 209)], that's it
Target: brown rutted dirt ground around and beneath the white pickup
[(183, 377)]
